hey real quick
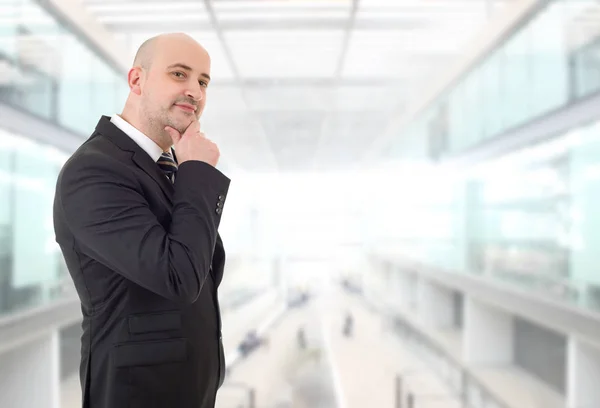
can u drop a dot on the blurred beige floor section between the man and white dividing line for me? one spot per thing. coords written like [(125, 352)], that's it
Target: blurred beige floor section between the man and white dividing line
[(283, 374)]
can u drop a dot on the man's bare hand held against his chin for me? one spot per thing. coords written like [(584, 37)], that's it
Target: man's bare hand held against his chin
[(193, 145)]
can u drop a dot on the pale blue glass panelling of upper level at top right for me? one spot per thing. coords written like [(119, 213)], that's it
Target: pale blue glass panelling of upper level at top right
[(550, 61)]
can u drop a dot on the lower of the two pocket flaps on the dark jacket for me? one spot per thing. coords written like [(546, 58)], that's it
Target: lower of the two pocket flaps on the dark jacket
[(150, 353)]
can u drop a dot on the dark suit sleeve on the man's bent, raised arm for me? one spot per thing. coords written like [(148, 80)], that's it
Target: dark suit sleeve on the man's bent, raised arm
[(112, 223)]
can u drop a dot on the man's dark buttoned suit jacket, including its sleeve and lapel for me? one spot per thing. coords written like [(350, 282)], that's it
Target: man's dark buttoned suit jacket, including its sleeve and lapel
[(146, 260)]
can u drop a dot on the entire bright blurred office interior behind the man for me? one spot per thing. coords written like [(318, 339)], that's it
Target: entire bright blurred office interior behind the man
[(414, 206)]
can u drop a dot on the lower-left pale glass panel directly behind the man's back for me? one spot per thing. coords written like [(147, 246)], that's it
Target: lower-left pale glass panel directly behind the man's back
[(31, 268)]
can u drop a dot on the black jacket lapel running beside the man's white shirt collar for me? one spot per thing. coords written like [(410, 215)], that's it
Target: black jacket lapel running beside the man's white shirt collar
[(140, 157)]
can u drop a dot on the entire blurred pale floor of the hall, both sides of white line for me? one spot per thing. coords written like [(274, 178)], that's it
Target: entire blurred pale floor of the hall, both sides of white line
[(333, 371)]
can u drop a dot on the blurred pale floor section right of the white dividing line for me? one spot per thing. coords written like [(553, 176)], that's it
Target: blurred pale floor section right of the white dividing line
[(368, 362)]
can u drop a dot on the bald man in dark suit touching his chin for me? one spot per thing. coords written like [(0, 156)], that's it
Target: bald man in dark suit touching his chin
[(136, 214)]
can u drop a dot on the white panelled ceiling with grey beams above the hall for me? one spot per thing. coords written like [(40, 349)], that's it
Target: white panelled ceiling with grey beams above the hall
[(306, 85)]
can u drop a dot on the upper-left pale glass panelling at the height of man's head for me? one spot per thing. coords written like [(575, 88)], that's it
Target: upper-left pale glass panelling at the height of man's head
[(49, 71)]
